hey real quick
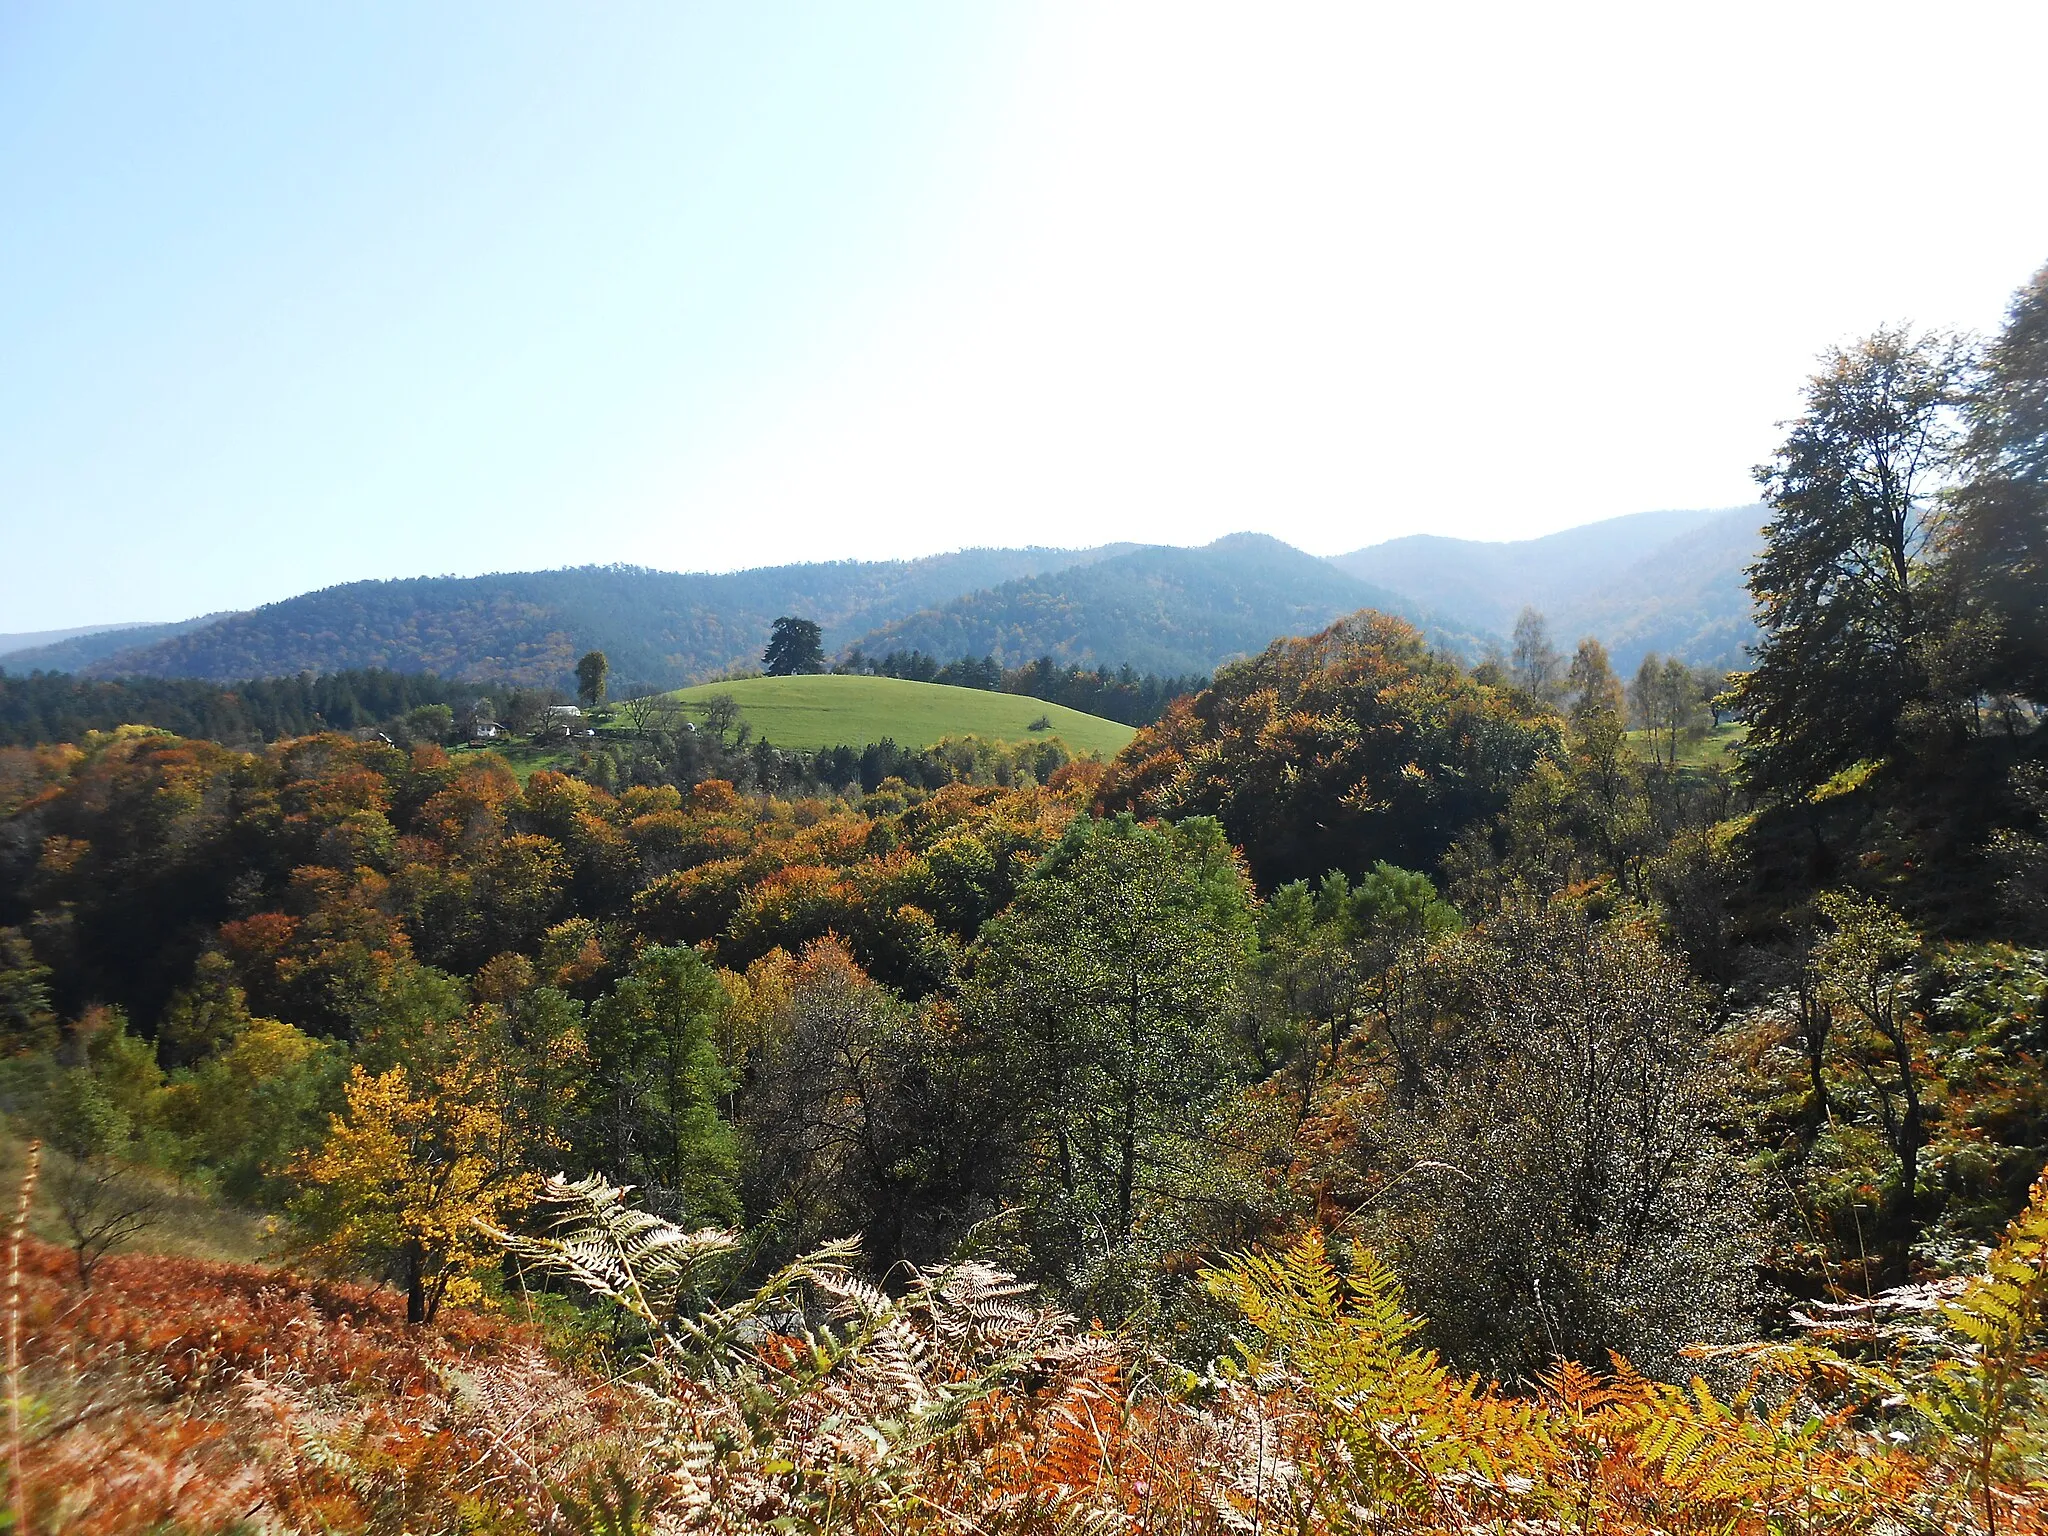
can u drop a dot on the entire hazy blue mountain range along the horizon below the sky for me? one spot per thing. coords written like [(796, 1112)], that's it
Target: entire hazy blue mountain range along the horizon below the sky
[(1644, 583)]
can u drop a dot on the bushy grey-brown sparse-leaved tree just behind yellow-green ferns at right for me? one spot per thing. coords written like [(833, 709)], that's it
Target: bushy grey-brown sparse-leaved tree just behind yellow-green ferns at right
[(1560, 1185)]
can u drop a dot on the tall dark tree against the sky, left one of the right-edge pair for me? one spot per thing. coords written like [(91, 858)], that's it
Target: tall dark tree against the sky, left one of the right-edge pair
[(1844, 587)]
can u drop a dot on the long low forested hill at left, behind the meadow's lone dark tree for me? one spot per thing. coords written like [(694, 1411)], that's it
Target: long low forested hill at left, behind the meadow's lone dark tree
[(658, 628)]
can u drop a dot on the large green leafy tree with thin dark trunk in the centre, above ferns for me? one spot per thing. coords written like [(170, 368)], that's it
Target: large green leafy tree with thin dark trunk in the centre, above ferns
[(1107, 994)]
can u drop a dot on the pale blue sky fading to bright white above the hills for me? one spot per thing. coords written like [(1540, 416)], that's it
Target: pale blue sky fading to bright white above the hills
[(308, 294)]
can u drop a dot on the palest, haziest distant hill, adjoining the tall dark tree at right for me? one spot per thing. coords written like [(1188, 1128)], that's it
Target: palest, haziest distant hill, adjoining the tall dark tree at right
[(1648, 583)]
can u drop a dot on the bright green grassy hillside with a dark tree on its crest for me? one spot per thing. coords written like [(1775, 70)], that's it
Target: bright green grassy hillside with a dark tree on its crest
[(853, 712)]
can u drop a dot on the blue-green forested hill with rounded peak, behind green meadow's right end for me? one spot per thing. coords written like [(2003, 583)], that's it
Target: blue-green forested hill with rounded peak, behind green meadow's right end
[(1156, 609)]
